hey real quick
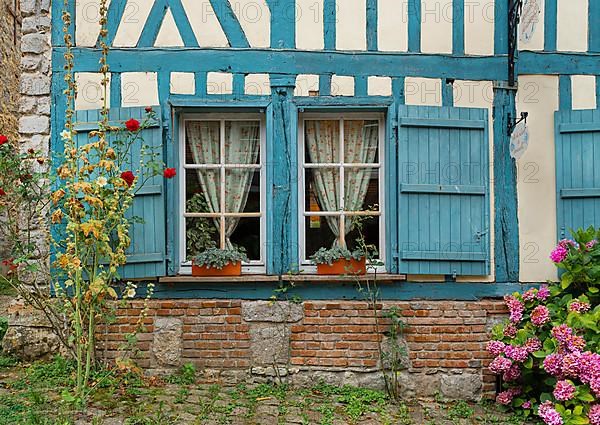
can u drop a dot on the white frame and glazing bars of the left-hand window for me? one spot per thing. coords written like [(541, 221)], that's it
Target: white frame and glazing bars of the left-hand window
[(253, 266)]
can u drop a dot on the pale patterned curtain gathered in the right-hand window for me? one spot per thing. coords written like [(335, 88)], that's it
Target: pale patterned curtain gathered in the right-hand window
[(360, 146)]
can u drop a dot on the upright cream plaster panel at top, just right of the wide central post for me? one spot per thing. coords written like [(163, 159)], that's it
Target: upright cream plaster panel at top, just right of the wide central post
[(309, 25)]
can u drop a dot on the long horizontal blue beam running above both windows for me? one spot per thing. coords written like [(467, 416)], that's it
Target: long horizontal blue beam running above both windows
[(298, 62)]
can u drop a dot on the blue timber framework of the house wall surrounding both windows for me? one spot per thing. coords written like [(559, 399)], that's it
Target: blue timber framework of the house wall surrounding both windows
[(282, 62)]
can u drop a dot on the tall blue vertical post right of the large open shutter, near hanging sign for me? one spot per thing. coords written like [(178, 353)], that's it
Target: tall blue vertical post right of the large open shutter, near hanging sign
[(506, 221)]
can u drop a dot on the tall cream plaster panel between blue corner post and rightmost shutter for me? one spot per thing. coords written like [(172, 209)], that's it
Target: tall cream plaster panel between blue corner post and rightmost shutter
[(536, 178)]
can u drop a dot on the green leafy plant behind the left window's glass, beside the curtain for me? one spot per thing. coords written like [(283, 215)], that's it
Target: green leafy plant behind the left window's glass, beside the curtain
[(200, 230)]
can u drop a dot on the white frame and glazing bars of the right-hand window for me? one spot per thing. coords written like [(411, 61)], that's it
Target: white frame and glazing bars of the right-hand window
[(305, 264)]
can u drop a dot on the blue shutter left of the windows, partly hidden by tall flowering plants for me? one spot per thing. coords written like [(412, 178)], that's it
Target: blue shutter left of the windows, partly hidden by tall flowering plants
[(146, 256)]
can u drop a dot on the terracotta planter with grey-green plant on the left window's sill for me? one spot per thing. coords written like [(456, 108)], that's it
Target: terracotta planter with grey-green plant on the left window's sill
[(219, 262)]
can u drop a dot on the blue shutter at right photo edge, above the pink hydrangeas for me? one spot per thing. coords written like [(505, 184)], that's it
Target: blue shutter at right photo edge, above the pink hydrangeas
[(577, 173)]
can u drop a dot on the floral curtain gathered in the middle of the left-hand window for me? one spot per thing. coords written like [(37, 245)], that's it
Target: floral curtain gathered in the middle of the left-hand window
[(242, 144)]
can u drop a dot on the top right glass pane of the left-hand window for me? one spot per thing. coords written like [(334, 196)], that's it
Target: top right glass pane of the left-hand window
[(242, 142)]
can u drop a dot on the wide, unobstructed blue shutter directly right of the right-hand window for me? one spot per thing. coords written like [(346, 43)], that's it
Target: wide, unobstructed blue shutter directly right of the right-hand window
[(443, 191)]
